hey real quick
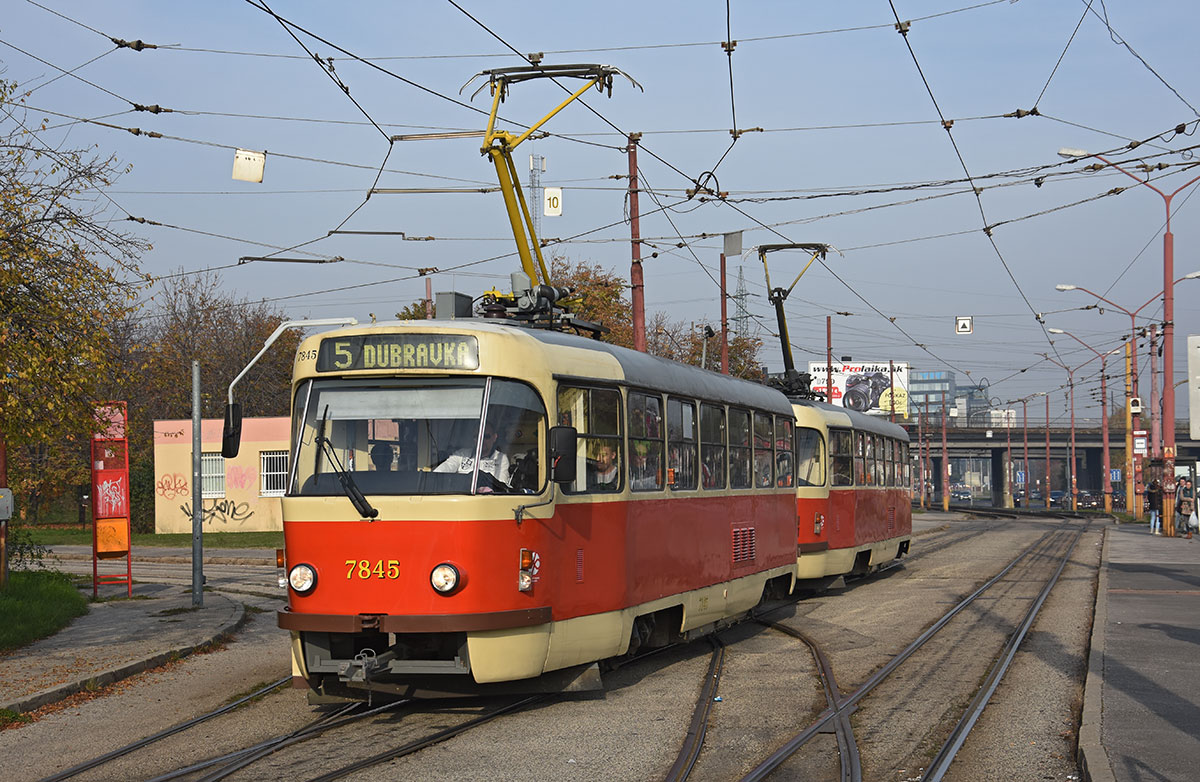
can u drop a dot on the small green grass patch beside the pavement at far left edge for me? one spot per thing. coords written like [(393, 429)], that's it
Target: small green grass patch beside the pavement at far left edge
[(37, 605)]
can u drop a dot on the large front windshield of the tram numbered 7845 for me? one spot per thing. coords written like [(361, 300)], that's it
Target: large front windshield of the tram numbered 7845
[(460, 436)]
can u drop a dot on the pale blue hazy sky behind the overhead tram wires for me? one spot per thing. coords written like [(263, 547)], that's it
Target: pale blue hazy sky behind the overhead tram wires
[(802, 71)]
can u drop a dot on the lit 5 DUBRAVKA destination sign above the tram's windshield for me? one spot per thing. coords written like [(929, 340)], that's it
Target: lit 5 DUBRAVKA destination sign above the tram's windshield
[(399, 352)]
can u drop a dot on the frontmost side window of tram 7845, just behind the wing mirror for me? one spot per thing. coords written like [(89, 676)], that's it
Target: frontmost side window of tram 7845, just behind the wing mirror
[(596, 416)]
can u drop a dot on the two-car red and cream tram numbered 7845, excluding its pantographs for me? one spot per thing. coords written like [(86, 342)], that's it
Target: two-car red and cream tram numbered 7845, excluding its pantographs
[(475, 503)]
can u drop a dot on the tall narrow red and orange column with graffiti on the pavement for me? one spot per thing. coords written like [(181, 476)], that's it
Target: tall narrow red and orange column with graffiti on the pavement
[(111, 534)]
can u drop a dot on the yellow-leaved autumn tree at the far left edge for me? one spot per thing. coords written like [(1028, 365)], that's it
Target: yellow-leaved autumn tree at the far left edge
[(68, 275)]
